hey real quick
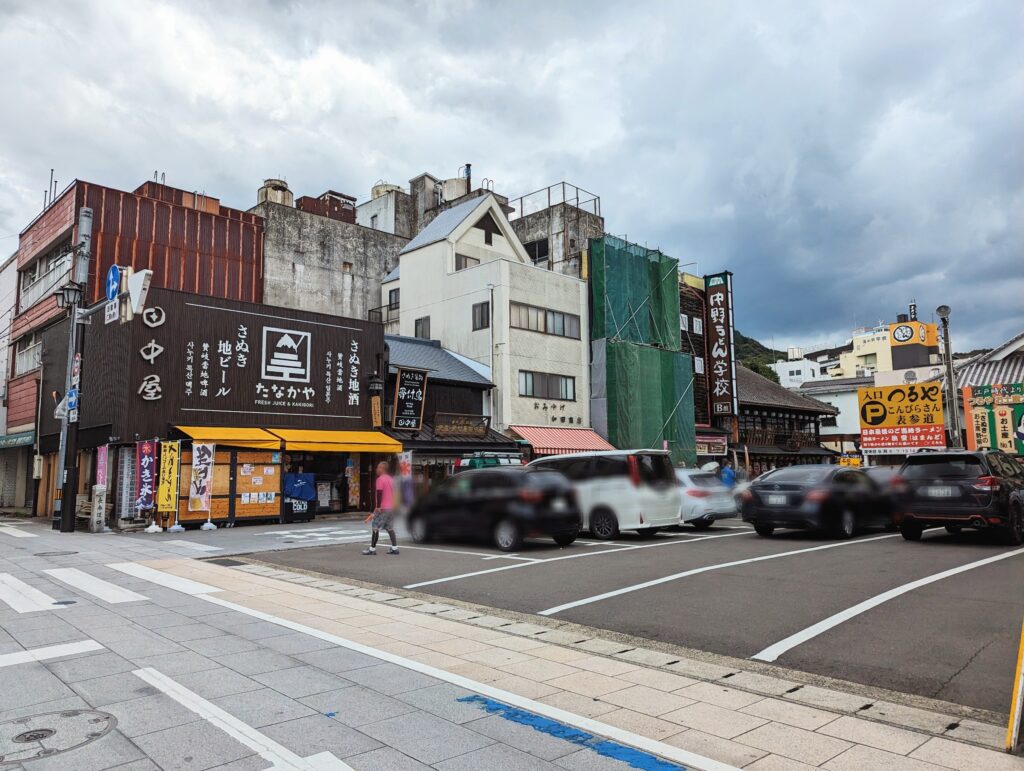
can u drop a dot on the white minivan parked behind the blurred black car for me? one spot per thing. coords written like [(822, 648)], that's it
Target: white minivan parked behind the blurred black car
[(621, 490)]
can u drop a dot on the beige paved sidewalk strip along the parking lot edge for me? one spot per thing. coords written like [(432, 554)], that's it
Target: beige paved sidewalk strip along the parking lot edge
[(754, 721)]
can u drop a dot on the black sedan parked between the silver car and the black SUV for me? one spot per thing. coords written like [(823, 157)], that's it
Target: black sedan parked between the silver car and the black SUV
[(820, 498)]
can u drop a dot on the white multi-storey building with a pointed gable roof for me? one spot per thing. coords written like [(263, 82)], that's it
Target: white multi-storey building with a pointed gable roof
[(466, 281)]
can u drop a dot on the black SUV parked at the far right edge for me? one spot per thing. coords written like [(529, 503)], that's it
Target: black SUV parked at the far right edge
[(961, 489)]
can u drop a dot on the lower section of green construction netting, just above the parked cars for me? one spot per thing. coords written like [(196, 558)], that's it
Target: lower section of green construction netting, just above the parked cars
[(650, 396)]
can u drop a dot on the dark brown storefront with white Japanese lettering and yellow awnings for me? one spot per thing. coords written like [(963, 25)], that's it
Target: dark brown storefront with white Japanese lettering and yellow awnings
[(203, 408)]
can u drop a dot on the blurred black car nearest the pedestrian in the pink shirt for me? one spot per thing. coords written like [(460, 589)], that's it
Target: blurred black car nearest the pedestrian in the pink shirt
[(505, 504)]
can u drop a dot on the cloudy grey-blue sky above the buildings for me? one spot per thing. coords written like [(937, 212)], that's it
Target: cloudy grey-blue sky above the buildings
[(840, 158)]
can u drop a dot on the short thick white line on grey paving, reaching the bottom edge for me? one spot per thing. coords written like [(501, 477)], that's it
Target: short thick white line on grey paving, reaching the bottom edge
[(268, 749)]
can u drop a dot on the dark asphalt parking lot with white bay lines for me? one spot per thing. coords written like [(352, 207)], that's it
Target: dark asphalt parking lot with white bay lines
[(938, 619)]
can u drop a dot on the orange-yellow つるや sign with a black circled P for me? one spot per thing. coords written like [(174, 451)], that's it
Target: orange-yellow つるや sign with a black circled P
[(902, 419)]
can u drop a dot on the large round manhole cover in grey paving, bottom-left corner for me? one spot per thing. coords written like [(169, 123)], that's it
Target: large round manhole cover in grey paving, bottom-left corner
[(37, 737)]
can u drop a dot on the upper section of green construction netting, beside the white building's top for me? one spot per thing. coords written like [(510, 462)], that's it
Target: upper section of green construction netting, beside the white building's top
[(635, 293)]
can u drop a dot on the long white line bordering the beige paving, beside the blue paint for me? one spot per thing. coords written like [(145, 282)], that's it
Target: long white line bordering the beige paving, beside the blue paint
[(615, 734)]
